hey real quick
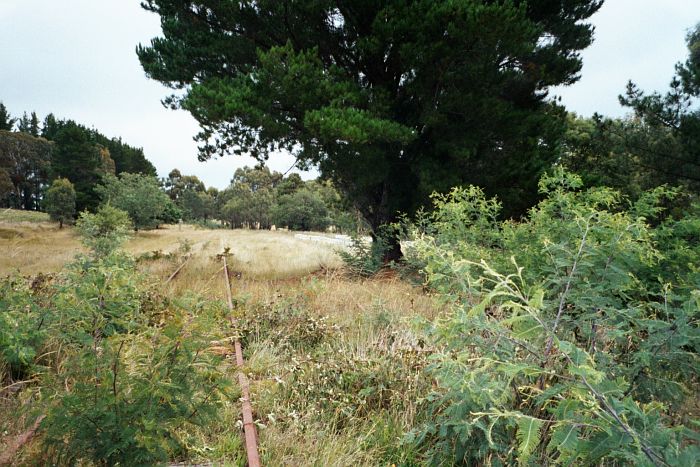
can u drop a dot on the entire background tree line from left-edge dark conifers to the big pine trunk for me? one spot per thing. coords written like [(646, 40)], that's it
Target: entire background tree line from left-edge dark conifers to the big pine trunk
[(62, 167)]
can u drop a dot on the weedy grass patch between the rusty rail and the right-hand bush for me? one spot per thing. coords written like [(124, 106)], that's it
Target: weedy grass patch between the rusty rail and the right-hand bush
[(357, 386)]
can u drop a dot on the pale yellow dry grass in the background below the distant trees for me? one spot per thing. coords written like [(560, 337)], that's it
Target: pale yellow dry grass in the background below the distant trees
[(32, 247)]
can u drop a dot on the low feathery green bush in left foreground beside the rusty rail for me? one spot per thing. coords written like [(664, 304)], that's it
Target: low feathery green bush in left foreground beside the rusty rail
[(132, 392)]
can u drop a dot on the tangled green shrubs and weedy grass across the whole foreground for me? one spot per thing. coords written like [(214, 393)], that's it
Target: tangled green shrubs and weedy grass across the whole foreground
[(567, 338)]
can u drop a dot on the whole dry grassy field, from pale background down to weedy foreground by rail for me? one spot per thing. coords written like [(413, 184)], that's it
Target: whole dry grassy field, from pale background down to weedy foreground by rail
[(334, 362)]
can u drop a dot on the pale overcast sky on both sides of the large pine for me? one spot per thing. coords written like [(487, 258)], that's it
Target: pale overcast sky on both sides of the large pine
[(76, 58)]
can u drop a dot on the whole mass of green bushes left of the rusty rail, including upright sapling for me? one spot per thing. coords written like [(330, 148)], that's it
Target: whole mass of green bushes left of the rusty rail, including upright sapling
[(128, 370)]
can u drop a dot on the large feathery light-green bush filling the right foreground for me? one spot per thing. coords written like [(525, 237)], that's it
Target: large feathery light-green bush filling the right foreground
[(566, 343)]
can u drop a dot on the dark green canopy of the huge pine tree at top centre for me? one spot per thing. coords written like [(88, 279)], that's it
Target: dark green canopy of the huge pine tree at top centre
[(391, 99)]
